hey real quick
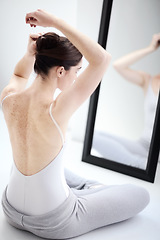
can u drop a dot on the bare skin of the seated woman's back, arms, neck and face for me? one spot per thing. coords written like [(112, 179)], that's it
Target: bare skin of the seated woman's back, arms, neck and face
[(34, 138)]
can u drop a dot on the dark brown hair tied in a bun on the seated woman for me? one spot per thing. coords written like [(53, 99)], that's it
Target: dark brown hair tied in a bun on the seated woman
[(53, 50)]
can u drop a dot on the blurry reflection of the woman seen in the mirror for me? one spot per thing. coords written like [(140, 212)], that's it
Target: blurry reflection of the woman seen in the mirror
[(134, 153)]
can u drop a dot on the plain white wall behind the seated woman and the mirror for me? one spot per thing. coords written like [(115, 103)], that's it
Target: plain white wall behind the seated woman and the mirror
[(84, 14)]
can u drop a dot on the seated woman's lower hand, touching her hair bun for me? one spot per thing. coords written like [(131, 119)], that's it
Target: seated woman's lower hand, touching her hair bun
[(31, 48)]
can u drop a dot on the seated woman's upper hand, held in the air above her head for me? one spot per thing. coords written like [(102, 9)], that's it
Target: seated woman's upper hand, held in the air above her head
[(40, 18)]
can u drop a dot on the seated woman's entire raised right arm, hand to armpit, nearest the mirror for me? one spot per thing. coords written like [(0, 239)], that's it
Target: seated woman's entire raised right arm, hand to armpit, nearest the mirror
[(97, 57)]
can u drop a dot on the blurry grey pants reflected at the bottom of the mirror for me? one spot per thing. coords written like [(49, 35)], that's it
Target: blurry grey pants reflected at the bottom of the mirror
[(132, 153)]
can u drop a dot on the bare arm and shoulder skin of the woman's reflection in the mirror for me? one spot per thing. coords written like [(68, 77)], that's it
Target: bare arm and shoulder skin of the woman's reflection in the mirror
[(123, 66)]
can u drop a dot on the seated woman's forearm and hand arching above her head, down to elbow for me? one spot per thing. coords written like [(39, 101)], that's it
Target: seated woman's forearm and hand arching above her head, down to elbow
[(91, 50)]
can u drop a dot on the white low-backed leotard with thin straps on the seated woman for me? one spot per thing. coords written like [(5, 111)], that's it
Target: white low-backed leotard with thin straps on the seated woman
[(42, 192)]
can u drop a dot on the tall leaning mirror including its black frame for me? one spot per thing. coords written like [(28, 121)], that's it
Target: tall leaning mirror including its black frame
[(123, 118)]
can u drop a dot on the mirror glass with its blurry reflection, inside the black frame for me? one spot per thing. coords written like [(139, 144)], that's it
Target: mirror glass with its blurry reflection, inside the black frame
[(129, 93)]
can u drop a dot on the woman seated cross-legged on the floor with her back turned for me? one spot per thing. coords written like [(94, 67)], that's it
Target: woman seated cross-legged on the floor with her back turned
[(39, 197)]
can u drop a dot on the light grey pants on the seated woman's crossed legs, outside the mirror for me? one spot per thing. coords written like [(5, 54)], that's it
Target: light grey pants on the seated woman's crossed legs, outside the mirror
[(84, 210)]
